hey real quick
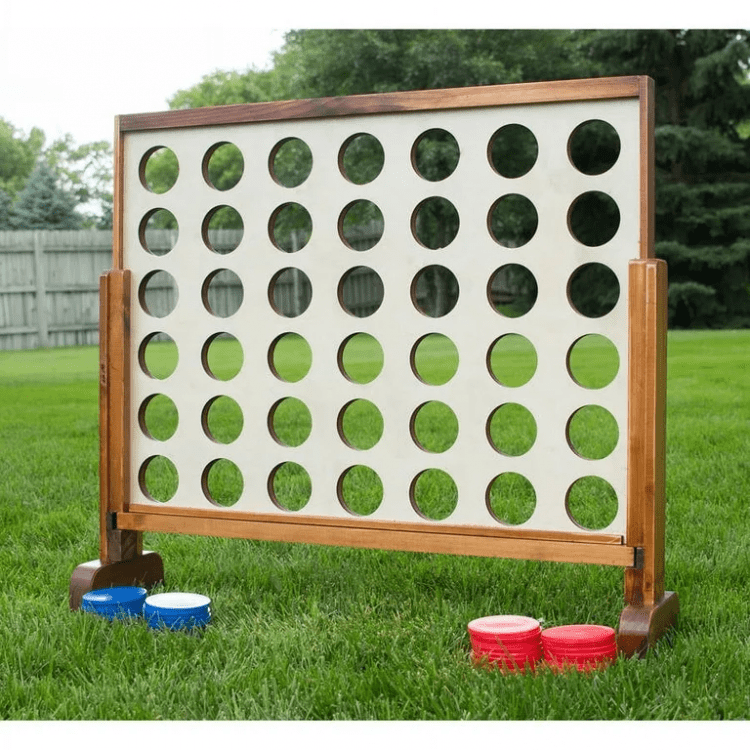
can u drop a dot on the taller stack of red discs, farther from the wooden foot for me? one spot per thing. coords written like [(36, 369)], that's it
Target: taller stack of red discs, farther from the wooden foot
[(510, 642)]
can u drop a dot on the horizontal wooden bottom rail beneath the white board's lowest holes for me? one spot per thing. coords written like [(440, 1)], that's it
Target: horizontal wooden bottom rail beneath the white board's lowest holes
[(395, 537)]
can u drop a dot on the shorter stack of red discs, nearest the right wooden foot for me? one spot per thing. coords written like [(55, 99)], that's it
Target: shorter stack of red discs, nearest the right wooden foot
[(585, 647)]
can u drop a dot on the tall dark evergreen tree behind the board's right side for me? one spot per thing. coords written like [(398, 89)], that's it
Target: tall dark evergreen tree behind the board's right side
[(702, 163)]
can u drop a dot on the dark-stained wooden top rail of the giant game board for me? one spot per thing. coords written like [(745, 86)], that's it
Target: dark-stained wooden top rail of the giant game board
[(406, 101)]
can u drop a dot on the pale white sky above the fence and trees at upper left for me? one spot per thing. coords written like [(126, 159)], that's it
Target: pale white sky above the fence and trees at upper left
[(71, 67)]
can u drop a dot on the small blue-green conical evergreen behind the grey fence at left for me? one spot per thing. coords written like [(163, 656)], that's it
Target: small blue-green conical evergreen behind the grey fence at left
[(43, 204)]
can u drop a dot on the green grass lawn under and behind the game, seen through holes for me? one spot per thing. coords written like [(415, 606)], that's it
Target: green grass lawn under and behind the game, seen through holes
[(306, 632)]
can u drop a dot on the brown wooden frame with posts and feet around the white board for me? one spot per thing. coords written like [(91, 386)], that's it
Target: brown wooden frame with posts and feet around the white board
[(649, 610)]
